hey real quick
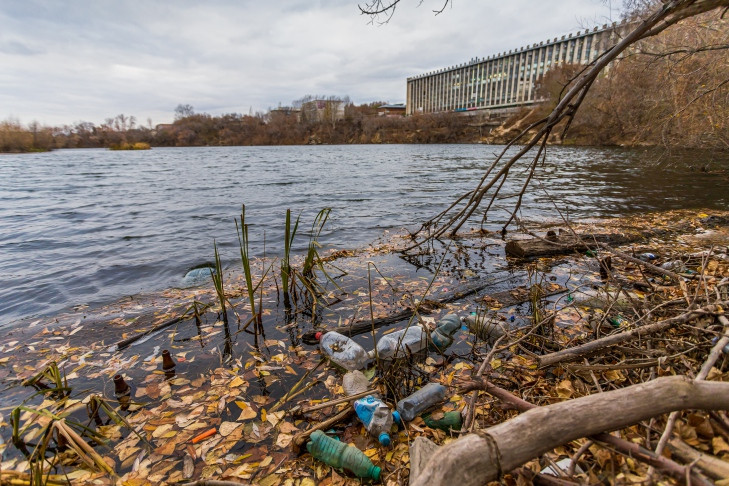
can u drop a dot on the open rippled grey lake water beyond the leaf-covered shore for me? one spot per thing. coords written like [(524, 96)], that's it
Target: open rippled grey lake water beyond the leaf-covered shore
[(90, 226)]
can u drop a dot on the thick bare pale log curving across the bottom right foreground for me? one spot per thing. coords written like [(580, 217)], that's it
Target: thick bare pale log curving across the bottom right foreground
[(484, 456)]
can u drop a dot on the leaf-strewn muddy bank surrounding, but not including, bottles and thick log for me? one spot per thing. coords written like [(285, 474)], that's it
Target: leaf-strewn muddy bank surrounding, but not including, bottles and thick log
[(247, 388)]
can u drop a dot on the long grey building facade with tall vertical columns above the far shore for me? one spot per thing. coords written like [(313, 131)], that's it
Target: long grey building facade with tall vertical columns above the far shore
[(507, 80)]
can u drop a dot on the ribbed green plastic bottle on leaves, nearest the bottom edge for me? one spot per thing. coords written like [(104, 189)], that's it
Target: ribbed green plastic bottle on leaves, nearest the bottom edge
[(340, 455)]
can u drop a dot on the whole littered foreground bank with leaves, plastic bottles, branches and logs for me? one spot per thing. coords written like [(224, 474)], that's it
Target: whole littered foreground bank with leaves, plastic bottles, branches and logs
[(326, 397)]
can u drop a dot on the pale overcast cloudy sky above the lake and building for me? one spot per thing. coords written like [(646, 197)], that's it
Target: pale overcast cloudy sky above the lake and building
[(64, 62)]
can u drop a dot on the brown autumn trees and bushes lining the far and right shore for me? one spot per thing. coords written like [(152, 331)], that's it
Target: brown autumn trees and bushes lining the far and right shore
[(668, 90)]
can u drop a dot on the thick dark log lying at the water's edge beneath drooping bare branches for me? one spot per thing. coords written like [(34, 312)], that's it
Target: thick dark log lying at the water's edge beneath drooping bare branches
[(563, 244)]
